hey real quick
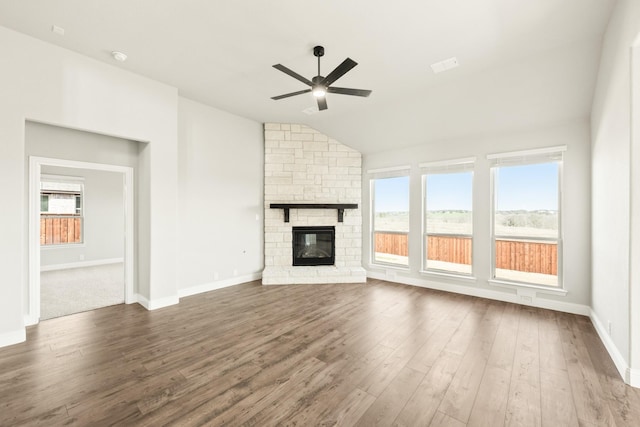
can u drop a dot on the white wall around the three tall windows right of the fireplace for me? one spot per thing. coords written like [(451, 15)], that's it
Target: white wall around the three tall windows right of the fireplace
[(575, 211)]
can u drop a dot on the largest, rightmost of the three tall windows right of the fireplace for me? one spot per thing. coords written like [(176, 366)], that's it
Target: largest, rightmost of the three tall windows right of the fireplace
[(526, 217)]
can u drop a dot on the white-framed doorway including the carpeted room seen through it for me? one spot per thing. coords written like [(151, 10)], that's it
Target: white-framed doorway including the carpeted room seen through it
[(63, 236)]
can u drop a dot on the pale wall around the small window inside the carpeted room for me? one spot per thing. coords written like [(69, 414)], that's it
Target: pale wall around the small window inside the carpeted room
[(103, 224)]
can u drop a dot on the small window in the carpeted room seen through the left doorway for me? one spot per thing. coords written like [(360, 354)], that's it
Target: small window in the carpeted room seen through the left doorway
[(61, 210)]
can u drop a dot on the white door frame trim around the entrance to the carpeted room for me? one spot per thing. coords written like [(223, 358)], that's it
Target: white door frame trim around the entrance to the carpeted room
[(32, 316)]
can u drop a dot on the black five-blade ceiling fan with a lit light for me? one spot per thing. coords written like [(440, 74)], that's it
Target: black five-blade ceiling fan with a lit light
[(320, 85)]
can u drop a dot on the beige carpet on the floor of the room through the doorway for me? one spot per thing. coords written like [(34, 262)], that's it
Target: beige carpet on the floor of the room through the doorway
[(64, 292)]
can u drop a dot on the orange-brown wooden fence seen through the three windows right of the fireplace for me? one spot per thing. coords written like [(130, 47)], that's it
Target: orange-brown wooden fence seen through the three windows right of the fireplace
[(529, 257)]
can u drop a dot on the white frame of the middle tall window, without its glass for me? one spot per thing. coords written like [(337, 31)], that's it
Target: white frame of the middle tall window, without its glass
[(466, 164)]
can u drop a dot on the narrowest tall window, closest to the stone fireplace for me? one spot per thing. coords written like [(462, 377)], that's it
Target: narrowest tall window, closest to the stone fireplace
[(390, 220)]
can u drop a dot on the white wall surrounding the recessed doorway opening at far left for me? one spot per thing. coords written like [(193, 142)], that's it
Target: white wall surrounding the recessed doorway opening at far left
[(44, 83)]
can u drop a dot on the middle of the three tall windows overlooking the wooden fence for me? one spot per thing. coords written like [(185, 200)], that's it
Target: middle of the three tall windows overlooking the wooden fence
[(448, 216)]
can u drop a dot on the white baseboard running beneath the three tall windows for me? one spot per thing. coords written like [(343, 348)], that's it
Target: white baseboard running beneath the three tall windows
[(485, 293)]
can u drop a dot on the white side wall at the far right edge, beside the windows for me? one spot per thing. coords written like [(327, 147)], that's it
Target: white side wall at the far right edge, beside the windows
[(611, 181)]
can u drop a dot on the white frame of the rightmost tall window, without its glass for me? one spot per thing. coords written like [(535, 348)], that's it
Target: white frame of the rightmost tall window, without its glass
[(523, 158)]
